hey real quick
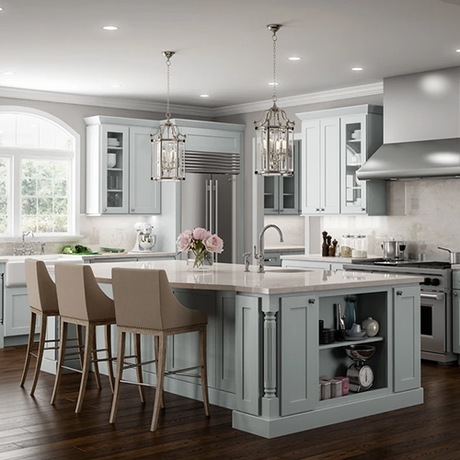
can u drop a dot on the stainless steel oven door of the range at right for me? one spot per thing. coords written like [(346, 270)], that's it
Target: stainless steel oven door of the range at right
[(433, 322)]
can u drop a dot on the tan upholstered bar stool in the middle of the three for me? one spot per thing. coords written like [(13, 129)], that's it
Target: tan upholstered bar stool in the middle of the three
[(82, 302)]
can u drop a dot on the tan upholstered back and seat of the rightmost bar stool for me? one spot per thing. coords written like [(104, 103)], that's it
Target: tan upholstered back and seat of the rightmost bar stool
[(143, 298)]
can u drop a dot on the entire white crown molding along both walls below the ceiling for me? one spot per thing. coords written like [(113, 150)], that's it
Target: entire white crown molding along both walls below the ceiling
[(132, 104)]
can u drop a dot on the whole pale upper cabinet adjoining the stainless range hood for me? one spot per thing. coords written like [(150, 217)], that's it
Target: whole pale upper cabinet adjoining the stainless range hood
[(335, 143)]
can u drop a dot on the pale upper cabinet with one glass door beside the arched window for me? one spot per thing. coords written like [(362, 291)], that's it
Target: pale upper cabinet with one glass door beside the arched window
[(118, 167)]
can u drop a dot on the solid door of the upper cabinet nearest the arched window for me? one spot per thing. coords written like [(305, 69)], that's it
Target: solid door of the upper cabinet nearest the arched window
[(144, 193)]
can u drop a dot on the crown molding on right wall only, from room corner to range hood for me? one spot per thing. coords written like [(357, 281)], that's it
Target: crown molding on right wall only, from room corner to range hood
[(303, 99)]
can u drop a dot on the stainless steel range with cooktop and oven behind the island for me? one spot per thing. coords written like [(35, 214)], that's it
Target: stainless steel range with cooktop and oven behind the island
[(436, 301)]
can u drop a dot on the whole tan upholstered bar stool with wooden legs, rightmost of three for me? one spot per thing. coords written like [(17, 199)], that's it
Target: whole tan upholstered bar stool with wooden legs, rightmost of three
[(145, 304)]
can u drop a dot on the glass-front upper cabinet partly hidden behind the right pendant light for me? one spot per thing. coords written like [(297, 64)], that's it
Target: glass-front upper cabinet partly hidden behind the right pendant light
[(282, 194)]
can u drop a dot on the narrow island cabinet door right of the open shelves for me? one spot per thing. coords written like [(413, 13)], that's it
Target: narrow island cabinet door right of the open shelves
[(406, 302)]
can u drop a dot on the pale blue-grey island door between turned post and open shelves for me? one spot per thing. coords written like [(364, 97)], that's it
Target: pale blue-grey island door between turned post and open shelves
[(299, 354)]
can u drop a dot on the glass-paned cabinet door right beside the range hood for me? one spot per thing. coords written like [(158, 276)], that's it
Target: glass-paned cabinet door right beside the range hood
[(353, 156)]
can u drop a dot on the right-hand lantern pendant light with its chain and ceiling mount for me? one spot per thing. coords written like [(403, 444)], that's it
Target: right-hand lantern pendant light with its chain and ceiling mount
[(275, 132)]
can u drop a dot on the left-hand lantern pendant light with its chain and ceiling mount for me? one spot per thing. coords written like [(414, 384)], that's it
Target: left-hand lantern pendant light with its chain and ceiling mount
[(168, 144)]
